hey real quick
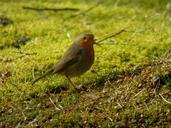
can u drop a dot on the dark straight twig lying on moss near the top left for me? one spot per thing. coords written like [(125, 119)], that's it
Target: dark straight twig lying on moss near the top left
[(50, 9)]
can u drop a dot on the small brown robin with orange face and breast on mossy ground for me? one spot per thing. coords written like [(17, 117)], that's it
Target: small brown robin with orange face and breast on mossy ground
[(76, 60)]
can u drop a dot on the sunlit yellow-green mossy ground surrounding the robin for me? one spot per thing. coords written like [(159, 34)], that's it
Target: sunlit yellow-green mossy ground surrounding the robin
[(125, 86)]
